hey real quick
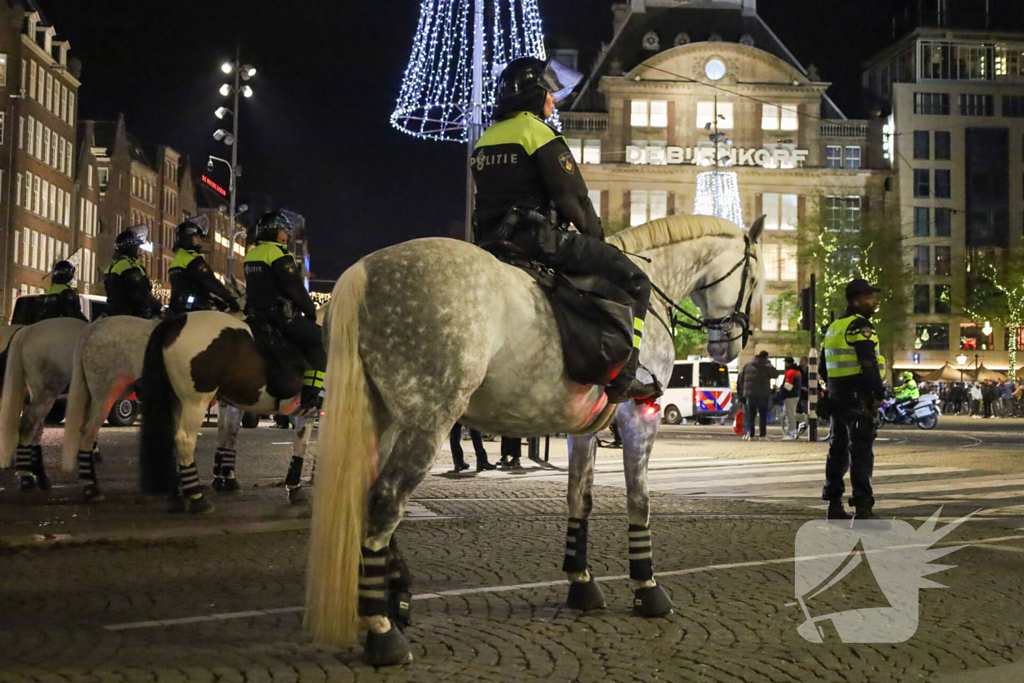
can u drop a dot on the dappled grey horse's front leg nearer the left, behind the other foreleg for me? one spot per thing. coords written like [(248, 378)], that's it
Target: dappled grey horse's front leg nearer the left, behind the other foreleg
[(585, 594)]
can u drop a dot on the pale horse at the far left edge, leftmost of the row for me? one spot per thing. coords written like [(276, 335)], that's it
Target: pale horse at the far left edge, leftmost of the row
[(38, 359)]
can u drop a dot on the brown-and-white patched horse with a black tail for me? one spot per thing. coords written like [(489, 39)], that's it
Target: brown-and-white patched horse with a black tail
[(189, 362)]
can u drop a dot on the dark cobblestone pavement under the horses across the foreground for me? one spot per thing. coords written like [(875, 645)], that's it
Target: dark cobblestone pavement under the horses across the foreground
[(220, 602)]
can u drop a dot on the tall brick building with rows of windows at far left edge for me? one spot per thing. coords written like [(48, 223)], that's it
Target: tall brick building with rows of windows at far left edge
[(38, 95)]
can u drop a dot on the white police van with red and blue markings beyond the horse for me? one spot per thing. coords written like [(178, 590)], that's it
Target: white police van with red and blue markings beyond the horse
[(698, 391)]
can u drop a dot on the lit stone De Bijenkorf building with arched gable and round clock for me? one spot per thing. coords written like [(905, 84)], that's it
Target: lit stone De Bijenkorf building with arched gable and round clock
[(671, 77)]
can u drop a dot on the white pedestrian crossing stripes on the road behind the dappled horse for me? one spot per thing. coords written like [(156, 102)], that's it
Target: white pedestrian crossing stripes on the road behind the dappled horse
[(898, 487)]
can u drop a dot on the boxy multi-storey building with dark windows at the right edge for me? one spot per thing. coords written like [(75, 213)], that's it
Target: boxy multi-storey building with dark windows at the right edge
[(952, 95)]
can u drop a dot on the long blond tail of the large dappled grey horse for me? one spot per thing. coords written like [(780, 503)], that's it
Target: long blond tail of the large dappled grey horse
[(347, 468)]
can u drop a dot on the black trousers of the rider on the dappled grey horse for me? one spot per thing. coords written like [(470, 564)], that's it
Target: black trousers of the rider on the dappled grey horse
[(578, 254)]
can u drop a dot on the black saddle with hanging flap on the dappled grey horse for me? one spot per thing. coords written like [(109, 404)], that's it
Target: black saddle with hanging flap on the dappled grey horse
[(594, 317)]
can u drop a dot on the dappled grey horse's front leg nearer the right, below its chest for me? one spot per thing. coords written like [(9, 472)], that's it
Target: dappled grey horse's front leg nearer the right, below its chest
[(638, 431)]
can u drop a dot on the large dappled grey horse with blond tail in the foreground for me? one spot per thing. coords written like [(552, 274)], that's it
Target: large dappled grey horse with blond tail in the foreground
[(436, 331)]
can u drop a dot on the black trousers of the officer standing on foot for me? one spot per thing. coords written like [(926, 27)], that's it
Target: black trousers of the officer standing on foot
[(852, 450)]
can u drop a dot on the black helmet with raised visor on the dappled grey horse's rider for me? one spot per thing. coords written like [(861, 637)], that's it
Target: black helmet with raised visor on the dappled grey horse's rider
[(525, 84)]
